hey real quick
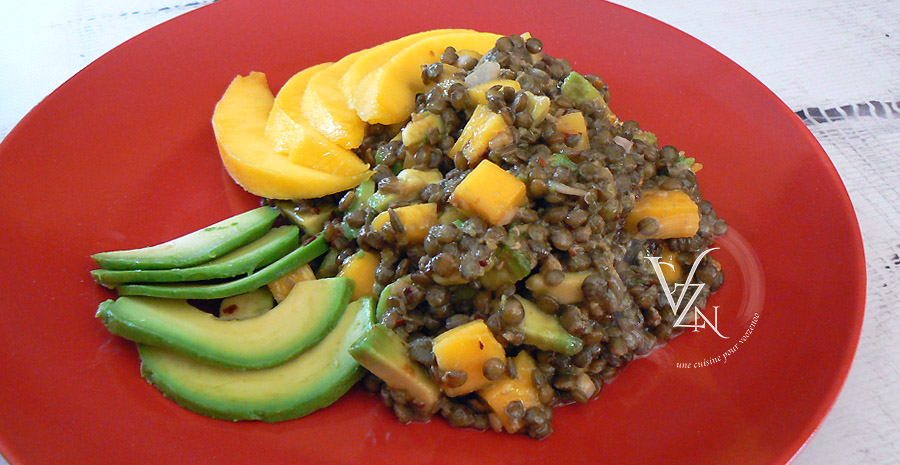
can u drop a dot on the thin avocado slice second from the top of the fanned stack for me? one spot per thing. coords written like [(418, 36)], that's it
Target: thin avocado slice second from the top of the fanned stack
[(261, 252)]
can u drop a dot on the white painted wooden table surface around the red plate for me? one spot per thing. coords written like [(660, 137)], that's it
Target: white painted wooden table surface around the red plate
[(838, 61)]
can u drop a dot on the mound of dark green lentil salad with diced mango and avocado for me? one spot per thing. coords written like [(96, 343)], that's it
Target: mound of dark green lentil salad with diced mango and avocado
[(571, 232)]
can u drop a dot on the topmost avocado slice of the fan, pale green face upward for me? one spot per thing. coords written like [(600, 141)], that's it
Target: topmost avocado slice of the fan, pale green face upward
[(194, 248)]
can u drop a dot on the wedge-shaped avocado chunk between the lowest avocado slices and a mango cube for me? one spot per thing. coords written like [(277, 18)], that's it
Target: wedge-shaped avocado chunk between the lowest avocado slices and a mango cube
[(381, 351)]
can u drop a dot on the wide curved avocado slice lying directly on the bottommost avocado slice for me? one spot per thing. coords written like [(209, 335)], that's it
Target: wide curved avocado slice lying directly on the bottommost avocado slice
[(297, 323)]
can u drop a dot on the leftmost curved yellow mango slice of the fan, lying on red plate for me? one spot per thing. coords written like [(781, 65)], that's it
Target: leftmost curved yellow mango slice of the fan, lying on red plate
[(239, 123)]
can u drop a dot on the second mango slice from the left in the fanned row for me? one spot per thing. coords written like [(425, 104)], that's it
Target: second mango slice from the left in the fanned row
[(292, 134)]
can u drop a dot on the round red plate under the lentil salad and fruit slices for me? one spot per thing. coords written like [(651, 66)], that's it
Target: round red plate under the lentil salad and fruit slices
[(123, 155)]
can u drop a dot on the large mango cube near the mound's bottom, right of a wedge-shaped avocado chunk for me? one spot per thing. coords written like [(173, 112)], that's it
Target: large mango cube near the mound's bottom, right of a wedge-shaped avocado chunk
[(466, 348)]
